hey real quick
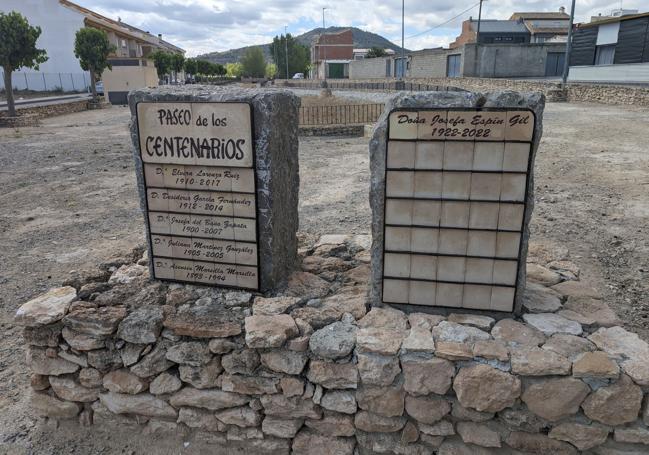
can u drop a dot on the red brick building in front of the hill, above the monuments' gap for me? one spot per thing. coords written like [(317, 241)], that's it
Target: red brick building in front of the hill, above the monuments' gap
[(337, 50)]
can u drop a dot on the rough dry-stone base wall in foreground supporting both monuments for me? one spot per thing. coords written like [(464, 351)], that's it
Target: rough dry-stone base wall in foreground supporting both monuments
[(313, 372)]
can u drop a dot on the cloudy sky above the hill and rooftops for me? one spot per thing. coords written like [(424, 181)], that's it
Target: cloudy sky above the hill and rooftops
[(201, 26)]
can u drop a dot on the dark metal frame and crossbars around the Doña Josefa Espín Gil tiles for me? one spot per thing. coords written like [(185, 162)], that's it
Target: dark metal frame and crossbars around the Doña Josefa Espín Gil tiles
[(524, 202)]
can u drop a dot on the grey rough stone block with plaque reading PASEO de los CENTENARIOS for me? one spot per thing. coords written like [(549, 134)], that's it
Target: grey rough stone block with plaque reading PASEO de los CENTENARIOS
[(218, 179)]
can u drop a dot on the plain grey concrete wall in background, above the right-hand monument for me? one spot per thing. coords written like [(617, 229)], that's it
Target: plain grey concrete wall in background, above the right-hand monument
[(507, 60)]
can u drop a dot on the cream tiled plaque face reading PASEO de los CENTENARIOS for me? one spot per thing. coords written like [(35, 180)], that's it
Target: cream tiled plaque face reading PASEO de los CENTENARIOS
[(200, 186)]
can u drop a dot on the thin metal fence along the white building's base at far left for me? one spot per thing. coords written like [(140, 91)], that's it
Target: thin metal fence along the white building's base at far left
[(48, 82)]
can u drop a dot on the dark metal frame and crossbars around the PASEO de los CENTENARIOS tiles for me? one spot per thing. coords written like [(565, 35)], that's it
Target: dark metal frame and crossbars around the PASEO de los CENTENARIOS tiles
[(146, 202)]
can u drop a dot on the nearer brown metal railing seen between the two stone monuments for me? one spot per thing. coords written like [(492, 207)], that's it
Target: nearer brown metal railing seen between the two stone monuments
[(340, 114)]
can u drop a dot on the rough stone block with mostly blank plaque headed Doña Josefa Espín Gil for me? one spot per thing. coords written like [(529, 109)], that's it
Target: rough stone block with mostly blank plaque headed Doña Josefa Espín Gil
[(452, 196)]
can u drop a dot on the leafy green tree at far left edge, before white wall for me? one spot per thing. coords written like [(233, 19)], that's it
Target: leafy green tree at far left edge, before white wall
[(17, 50)]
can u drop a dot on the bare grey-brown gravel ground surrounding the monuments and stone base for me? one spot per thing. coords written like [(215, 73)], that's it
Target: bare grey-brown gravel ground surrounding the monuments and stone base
[(69, 202)]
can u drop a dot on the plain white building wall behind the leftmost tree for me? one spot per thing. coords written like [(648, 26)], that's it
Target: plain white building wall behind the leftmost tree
[(58, 28)]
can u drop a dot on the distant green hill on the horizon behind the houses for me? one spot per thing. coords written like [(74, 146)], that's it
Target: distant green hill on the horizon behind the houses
[(362, 39)]
